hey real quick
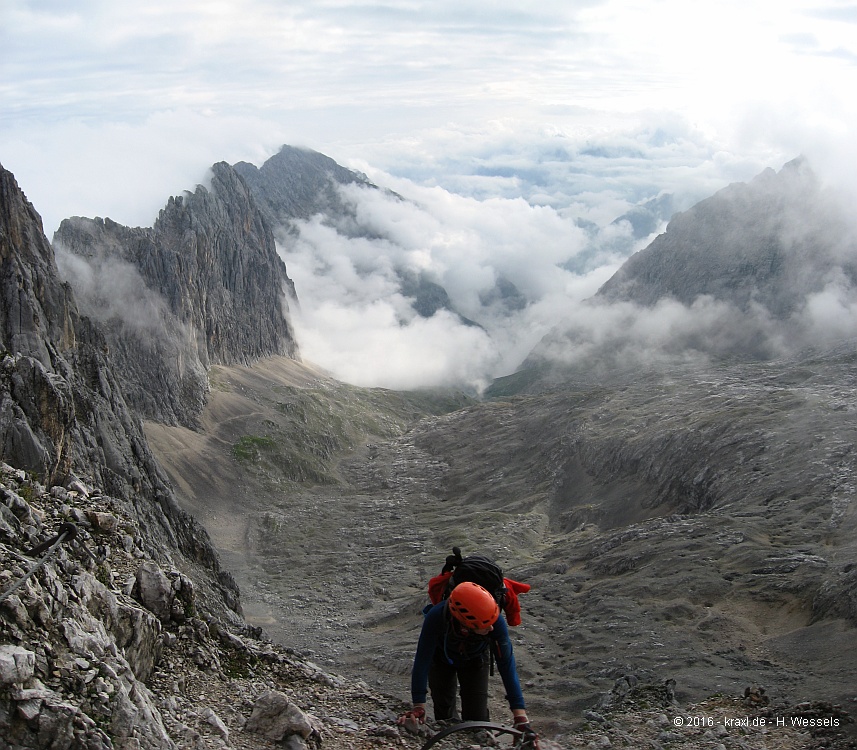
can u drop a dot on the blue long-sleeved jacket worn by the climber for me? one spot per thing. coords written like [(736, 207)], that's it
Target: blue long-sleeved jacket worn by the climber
[(438, 633)]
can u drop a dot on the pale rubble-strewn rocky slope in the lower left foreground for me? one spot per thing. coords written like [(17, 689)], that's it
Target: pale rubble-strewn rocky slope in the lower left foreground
[(85, 664)]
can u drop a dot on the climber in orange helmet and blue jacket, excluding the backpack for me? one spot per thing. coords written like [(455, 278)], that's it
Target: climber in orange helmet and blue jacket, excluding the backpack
[(454, 650)]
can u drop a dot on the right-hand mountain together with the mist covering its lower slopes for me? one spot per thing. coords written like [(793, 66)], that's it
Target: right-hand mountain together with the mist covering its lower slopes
[(756, 271)]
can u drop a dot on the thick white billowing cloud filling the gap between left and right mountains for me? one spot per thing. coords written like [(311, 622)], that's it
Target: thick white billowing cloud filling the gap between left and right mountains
[(354, 320)]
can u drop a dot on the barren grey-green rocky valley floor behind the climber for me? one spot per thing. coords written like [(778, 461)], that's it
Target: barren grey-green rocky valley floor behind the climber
[(696, 526)]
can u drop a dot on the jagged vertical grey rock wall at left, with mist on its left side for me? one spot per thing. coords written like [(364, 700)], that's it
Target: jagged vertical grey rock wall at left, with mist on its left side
[(203, 286)]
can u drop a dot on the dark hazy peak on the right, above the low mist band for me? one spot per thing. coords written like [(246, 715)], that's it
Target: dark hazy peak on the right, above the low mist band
[(771, 241)]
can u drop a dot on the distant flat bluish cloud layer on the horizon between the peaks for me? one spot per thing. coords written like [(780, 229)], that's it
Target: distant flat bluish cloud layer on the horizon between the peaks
[(595, 169)]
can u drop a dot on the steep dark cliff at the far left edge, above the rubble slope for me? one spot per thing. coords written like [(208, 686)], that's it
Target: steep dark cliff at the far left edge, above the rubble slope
[(63, 415)]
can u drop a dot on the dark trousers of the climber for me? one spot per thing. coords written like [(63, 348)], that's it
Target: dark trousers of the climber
[(471, 677)]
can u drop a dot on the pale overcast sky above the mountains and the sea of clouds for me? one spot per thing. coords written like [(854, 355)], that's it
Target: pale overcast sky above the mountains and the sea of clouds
[(109, 107)]
